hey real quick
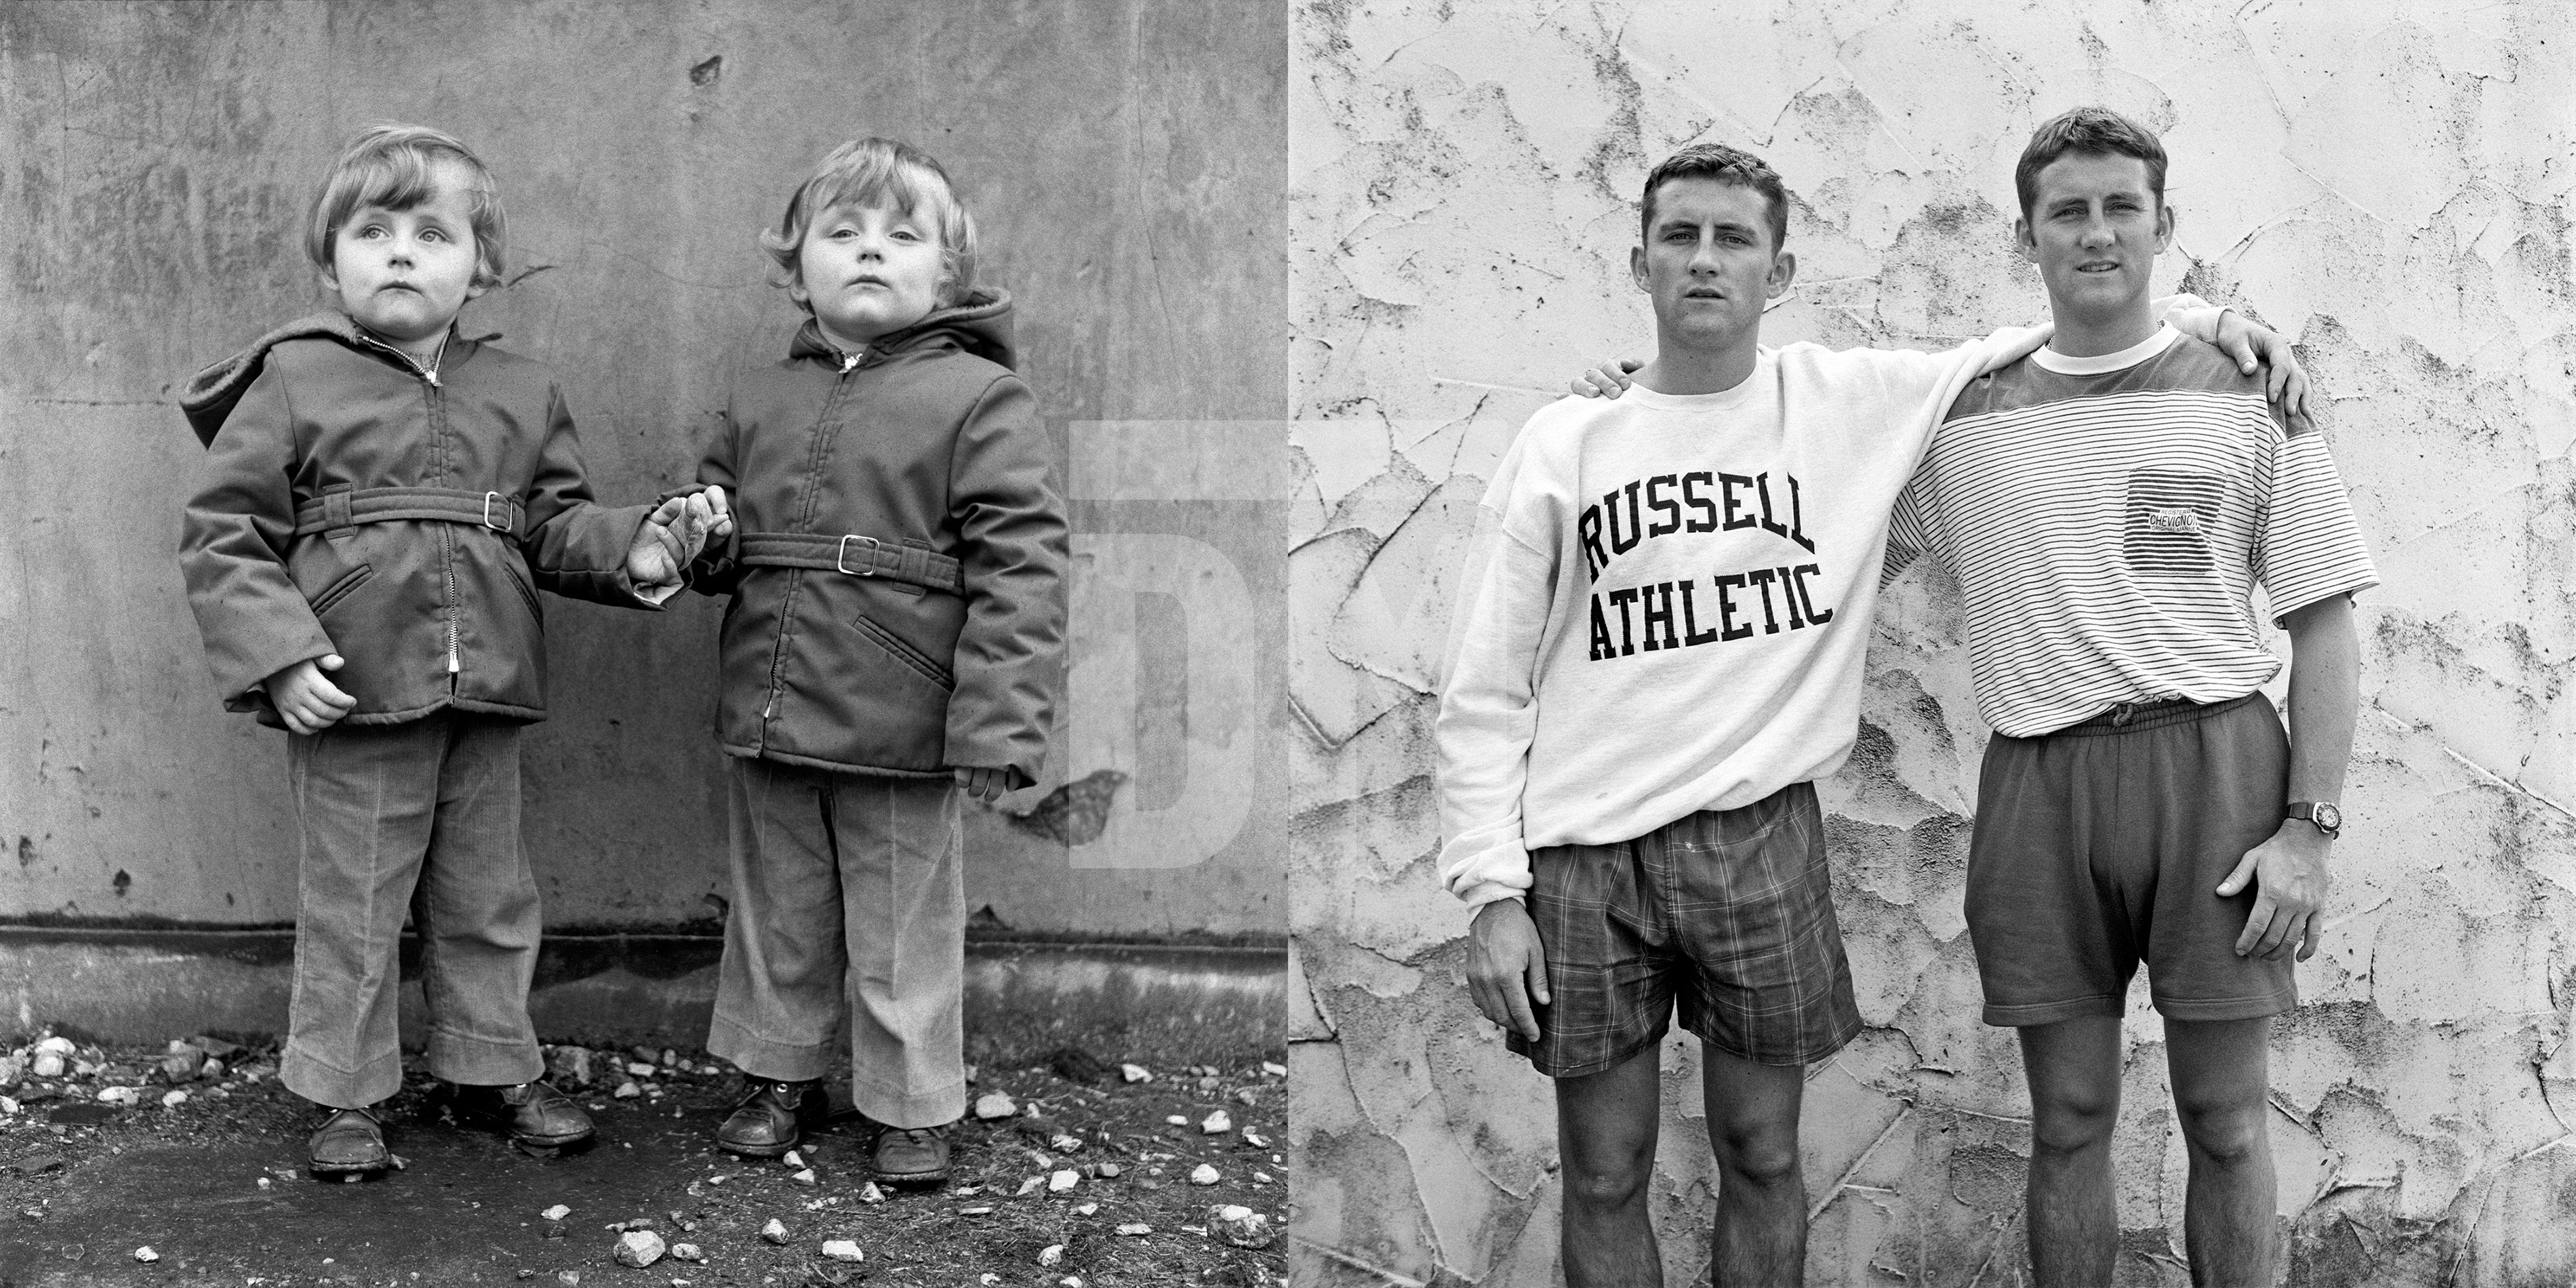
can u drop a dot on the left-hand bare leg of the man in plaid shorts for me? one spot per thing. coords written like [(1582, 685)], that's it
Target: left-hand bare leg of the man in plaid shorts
[(1606, 1130)]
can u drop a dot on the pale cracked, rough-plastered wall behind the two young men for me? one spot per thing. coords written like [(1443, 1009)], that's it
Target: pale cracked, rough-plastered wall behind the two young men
[(2382, 179)]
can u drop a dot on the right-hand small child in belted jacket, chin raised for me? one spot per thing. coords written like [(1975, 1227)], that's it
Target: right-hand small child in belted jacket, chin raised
[(898, 632)]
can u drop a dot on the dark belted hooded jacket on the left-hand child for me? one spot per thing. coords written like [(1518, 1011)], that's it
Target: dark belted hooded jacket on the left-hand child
[(357, 504)]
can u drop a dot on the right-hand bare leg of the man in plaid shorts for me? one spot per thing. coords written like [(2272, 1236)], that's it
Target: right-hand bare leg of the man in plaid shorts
[(1753, 1124)]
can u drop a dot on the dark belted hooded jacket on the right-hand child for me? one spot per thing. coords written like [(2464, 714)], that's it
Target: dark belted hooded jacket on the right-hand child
[(869, 653)]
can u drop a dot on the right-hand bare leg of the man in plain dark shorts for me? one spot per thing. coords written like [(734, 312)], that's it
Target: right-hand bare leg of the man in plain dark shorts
[(2222, 1070)]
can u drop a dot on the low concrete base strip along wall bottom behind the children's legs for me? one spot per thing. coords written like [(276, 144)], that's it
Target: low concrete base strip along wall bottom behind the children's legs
[(1117, 1001)]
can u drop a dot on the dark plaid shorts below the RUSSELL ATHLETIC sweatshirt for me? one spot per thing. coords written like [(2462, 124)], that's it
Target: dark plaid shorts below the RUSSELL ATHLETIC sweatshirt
[(1727, 913)]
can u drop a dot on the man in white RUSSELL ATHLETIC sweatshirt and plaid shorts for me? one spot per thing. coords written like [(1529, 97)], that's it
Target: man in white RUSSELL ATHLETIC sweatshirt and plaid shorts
[(1658, 650)]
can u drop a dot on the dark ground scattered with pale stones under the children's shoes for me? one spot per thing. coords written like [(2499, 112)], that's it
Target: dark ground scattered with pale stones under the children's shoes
[(1086, 1181)]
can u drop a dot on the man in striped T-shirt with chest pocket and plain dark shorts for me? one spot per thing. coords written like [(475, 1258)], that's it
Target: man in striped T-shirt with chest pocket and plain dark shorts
[(2108, 504)]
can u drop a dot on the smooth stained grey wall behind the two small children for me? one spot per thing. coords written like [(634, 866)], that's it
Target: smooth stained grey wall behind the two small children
[(1124, 161)]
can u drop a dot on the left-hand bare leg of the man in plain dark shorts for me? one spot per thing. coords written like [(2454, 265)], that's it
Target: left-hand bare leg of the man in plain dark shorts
[(2075, 1101)]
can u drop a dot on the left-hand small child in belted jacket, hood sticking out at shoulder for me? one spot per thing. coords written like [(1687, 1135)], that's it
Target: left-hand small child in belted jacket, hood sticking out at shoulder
[(380, 509)]
